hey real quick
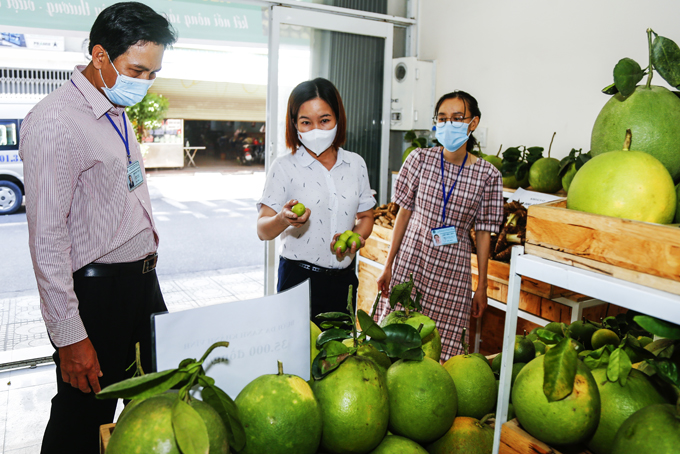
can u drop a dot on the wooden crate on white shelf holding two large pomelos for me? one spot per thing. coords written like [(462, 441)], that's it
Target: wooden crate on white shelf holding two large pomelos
[(640, 252)]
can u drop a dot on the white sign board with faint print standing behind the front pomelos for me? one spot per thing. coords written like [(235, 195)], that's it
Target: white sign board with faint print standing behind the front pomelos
[(260, 332)]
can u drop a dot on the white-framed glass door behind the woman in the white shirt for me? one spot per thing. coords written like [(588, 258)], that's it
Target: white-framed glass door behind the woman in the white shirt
[(356, 55)]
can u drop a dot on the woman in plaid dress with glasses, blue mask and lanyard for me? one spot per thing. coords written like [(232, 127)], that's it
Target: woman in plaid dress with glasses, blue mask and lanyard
[(442, 272)]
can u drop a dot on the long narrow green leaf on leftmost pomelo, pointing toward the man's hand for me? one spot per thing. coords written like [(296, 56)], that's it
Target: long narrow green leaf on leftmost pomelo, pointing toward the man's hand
[(143, 386)]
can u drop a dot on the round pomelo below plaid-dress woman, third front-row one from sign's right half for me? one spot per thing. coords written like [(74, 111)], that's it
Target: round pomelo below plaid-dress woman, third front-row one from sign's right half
[(423, 399)]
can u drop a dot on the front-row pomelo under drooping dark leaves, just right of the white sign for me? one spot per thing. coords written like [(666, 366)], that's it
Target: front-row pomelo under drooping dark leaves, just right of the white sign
[(354, 406)]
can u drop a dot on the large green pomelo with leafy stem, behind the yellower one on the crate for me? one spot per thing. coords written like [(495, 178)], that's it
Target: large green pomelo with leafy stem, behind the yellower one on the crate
[(652, 114)]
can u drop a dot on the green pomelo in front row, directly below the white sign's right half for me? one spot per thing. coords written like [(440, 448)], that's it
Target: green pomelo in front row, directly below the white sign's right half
[(279, 415)]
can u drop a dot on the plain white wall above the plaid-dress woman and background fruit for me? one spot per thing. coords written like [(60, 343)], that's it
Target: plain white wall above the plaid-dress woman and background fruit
[(537, 66)]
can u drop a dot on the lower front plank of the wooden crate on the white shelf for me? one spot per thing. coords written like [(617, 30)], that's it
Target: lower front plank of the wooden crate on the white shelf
[(636, 277)]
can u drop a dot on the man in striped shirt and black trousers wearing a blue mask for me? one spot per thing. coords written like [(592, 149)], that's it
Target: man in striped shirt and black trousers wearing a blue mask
[(92, 236)]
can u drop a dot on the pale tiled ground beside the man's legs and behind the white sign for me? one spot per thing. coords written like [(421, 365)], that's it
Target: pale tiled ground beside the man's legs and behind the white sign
[(25, 394)]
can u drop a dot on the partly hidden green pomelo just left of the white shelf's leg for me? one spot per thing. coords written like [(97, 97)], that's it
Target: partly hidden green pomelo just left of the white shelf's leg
[(475, 385)]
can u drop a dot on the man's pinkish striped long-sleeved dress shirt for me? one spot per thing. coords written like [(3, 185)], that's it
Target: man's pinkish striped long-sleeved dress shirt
[(78, 204)]
